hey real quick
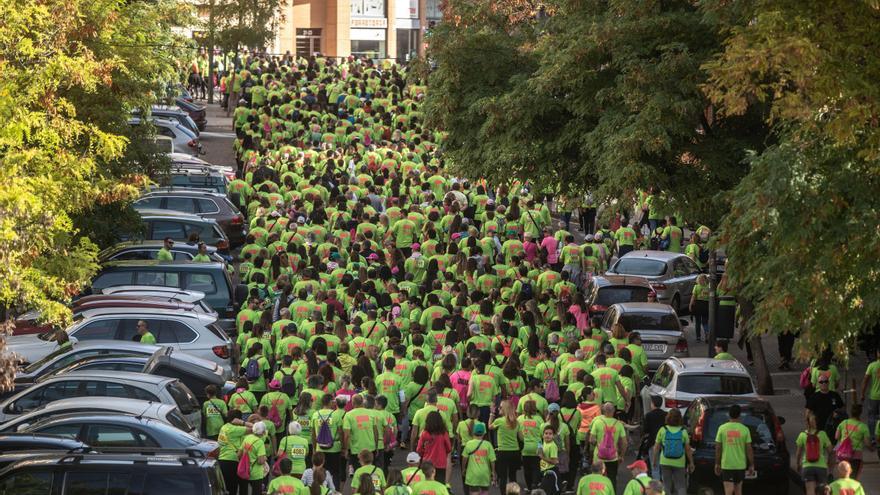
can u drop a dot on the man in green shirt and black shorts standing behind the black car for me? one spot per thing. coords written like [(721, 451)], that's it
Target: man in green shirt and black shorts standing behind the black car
[(734, 456)]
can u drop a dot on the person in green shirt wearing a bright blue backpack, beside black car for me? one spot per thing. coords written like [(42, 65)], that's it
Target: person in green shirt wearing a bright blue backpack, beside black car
[(672, 447)]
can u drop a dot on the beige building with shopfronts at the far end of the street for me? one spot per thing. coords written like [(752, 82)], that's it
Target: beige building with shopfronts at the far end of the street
[(339, 28)]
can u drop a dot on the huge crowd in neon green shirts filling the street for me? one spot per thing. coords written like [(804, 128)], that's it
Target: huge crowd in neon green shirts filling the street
[(393, 307)]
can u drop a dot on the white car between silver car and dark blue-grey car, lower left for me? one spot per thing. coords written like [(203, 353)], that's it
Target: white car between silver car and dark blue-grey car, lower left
[(166, 413)]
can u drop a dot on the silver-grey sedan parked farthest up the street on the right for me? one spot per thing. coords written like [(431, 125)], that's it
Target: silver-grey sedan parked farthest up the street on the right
[(671, 275)]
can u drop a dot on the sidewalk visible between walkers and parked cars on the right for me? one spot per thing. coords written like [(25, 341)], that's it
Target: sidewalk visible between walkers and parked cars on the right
[(788, 401)]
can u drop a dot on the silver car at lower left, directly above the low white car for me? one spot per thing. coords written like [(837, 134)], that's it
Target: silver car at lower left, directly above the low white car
[(103, 384)]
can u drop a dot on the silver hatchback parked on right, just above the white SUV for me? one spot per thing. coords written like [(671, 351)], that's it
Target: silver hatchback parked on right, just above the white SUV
[(657, 323)]
